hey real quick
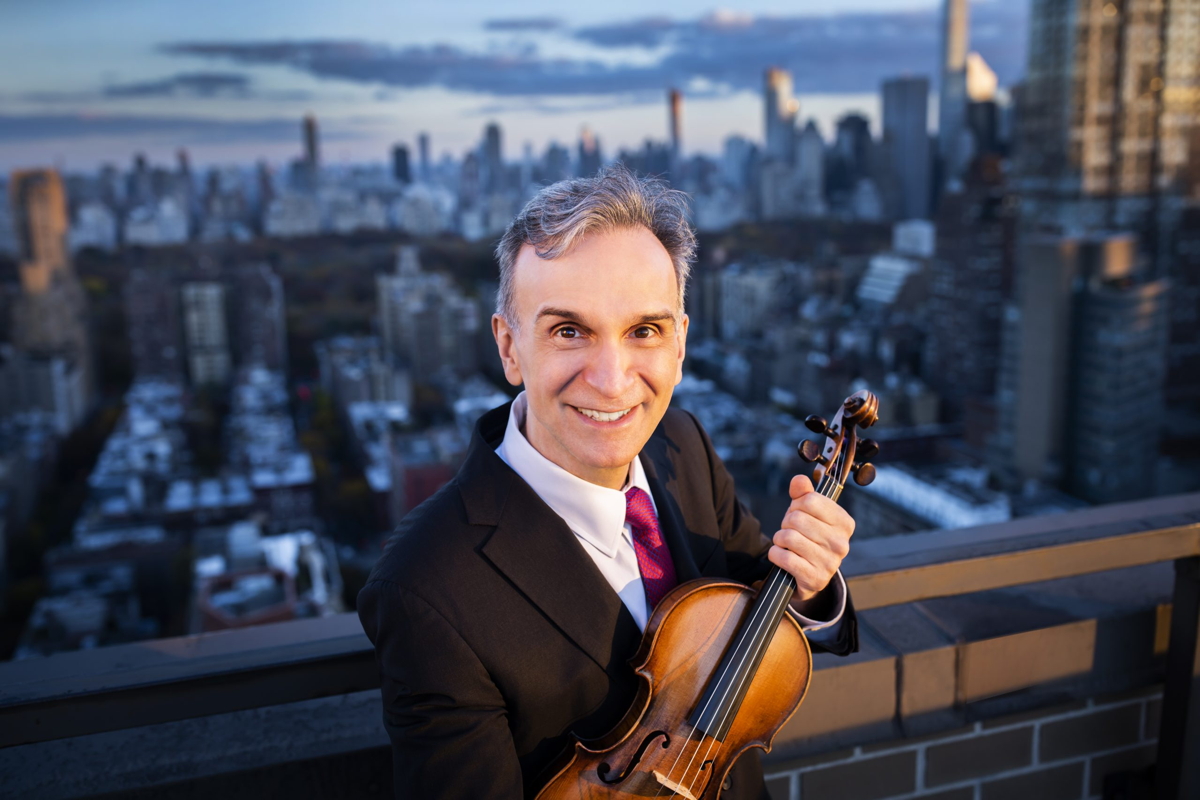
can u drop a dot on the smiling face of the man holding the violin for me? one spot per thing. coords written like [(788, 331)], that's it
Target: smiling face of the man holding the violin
[(598, 348)]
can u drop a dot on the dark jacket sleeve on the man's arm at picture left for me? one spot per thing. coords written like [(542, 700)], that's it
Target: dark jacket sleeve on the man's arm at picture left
[(446, 718)]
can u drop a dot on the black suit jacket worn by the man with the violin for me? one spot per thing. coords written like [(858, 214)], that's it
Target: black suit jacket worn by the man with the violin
[(496, 635)]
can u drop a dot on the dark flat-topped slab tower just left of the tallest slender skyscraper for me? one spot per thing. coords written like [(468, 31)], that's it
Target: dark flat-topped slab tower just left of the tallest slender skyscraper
[(907, 142)]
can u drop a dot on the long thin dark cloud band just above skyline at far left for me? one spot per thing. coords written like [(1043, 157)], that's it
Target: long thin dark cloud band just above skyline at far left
[(184, 130)]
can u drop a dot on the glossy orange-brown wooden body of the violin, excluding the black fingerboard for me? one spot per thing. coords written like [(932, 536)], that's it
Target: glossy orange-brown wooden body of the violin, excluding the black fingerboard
[(656, 751)]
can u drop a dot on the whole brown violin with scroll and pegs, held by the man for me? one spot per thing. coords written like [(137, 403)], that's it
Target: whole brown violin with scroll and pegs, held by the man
[(724, 666)]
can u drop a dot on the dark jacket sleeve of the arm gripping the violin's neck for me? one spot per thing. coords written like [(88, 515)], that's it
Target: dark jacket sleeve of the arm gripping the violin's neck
[(746, 551)]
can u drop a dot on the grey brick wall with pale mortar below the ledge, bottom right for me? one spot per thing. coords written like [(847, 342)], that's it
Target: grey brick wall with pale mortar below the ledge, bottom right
[(1061, 753)]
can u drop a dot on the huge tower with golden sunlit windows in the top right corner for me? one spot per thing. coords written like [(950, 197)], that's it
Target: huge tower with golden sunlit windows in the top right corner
[(1111, 111)]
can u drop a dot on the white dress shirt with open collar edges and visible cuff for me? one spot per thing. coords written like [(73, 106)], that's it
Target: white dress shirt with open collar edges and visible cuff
[(597, 516)]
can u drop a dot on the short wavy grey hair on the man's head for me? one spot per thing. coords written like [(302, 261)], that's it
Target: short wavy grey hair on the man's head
[(562, 214)]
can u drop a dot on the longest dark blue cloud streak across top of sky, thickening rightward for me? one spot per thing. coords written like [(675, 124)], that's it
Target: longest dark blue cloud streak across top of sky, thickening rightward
[(837, 53)]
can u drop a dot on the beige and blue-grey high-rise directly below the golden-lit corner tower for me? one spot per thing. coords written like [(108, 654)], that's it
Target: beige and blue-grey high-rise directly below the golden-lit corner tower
[(1083, 363)]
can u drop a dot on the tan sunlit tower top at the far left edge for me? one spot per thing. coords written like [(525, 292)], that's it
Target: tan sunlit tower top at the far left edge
[(40, 220)]
